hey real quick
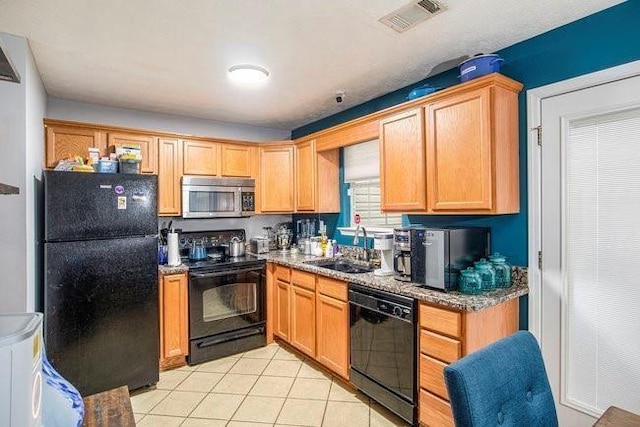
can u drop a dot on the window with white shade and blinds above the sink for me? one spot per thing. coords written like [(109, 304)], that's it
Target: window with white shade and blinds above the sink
[(362, 173)]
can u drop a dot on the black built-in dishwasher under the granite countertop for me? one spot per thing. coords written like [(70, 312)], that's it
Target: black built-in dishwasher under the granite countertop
[(383, 348)]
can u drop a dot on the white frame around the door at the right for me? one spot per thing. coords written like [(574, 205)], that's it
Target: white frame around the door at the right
[(534, 119)]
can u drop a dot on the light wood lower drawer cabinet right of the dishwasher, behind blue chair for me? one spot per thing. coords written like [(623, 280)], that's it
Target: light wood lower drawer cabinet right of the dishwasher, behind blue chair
[(445, 336)]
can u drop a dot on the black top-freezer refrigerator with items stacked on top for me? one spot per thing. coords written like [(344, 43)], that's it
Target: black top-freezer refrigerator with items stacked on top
[(100, 290)]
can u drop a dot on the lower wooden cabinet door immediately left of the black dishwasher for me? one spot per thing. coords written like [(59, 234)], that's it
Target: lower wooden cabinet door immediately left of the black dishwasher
[(333, 334)]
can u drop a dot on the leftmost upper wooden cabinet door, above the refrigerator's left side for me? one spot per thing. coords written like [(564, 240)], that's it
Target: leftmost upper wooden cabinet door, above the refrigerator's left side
[(65, 141)]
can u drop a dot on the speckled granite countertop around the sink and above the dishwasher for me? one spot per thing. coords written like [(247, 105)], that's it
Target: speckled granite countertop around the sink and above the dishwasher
[(453, 299)]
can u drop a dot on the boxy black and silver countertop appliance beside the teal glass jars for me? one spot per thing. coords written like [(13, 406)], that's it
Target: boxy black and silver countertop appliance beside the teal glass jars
[(439, 254)]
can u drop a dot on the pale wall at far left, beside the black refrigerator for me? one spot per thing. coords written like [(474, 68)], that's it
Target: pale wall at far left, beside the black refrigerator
[(21, 111)]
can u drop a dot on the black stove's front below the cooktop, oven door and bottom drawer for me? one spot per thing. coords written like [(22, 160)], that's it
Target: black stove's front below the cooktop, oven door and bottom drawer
[(226, 312)]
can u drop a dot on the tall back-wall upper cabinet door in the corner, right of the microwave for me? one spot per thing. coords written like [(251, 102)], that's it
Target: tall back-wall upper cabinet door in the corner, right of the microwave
[(276, 179)]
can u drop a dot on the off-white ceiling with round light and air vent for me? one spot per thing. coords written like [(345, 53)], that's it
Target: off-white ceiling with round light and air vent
[(172, 57)]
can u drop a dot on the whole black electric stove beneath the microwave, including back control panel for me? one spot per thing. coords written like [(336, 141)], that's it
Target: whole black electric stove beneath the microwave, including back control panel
[(227, 313)]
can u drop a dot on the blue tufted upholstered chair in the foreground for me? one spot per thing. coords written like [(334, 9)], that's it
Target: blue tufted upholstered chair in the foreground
[(503, 384)]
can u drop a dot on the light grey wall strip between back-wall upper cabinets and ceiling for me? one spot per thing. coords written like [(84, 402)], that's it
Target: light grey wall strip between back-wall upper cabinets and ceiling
[(92, 113)]
